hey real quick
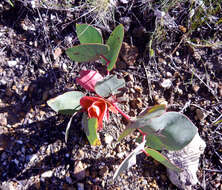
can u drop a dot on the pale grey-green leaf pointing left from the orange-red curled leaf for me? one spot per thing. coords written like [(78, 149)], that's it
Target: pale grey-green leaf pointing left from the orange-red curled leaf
[(67, 103)]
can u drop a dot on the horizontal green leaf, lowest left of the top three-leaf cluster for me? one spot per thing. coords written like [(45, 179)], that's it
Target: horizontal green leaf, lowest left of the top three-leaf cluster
[(87, 52)]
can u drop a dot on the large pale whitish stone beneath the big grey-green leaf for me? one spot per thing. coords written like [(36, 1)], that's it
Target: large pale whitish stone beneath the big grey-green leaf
[(188, 160)]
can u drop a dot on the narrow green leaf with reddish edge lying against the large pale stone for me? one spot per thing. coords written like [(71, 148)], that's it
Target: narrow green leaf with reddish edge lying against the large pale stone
[(162, 159)]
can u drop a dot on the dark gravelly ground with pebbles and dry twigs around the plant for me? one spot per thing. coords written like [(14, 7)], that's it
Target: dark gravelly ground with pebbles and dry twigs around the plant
[(185, 72)]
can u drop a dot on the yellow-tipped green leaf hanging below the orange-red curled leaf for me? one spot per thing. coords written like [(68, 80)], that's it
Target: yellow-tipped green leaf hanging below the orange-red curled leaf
[(90, 129)]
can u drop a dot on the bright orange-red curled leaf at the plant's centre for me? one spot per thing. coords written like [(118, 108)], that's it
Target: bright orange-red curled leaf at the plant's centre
[(97, 108)]
